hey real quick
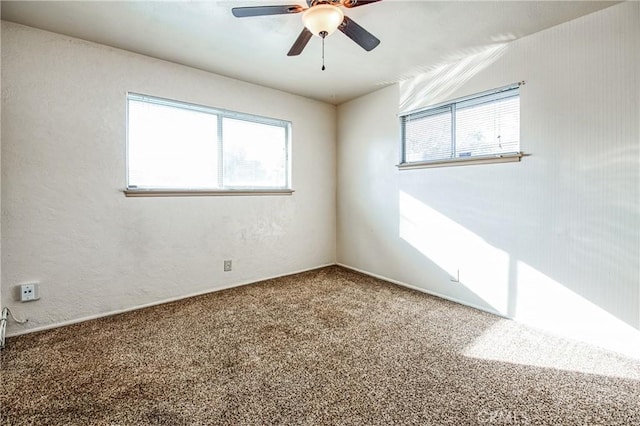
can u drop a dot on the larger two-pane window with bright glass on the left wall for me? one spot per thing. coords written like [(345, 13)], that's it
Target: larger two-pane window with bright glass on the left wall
[(177, 147)]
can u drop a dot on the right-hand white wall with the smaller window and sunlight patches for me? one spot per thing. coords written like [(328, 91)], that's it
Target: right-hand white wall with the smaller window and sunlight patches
[(554, 240)]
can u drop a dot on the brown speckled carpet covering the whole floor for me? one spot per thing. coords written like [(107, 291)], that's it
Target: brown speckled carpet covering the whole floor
[(329, 346)]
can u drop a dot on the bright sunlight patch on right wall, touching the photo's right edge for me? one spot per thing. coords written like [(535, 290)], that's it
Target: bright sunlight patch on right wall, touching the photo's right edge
[(544, 303)]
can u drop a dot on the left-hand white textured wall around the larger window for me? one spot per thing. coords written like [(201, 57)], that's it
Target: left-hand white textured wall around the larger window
[(66, 223)]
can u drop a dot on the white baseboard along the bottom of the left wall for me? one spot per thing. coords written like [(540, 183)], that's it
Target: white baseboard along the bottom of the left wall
[(161, 302)]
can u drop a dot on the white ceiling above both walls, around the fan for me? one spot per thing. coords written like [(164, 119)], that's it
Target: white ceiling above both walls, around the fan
[(416, 36)]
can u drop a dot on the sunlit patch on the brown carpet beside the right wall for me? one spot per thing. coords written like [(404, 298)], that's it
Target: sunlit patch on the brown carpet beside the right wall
[(508, 341)]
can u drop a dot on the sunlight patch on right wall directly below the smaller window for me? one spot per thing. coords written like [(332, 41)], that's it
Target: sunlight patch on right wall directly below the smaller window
[(483, 269)]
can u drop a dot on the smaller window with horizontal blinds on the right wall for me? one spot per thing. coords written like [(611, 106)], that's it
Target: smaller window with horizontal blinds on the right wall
[(480, 128)]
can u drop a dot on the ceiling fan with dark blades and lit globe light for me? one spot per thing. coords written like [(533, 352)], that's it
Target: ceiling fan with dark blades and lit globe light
[(321, 18)]
